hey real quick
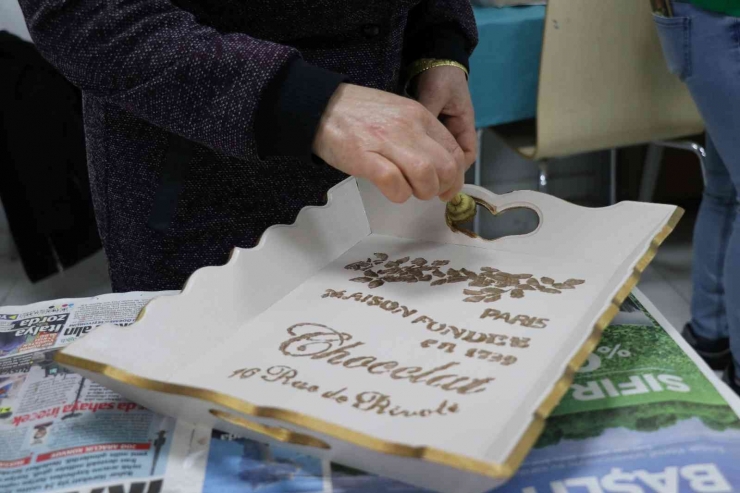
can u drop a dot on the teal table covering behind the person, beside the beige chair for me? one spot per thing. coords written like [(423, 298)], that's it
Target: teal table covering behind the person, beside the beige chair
[(504, 68)]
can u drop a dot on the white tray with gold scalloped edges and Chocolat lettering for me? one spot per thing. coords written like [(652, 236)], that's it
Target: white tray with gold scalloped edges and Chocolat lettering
[(379, 336)]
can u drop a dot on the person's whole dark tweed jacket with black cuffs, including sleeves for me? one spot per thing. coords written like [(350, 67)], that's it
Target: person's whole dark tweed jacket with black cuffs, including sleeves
[(199, 114)]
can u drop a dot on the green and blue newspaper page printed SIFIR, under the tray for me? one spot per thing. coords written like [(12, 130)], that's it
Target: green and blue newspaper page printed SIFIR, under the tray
[(643, 415)]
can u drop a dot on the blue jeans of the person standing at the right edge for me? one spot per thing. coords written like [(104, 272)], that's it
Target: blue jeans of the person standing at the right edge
[(703, 49)]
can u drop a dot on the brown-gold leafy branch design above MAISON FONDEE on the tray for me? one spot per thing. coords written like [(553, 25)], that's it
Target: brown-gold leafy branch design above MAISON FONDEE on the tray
[(492, 283)]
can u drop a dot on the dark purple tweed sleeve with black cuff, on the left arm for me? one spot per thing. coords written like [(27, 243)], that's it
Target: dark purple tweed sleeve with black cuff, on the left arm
[(239, 95)]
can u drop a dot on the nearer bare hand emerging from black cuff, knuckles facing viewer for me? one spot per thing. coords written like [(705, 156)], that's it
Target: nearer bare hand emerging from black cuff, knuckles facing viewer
[(392, 141)]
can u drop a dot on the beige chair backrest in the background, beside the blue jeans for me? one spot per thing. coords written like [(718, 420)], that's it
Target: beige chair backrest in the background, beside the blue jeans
[(604, 82)]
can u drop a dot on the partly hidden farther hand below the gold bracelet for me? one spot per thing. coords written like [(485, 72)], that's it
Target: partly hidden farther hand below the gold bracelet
[(444, 92)]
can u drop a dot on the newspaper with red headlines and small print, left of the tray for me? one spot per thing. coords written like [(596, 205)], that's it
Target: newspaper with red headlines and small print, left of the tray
[(62, 432)]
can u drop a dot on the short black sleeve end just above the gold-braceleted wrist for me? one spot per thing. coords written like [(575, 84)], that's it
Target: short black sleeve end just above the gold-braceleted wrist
[(443, 29)]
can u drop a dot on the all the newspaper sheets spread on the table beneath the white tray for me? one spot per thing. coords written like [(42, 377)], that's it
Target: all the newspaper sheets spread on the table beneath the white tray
[(643, 415)]
